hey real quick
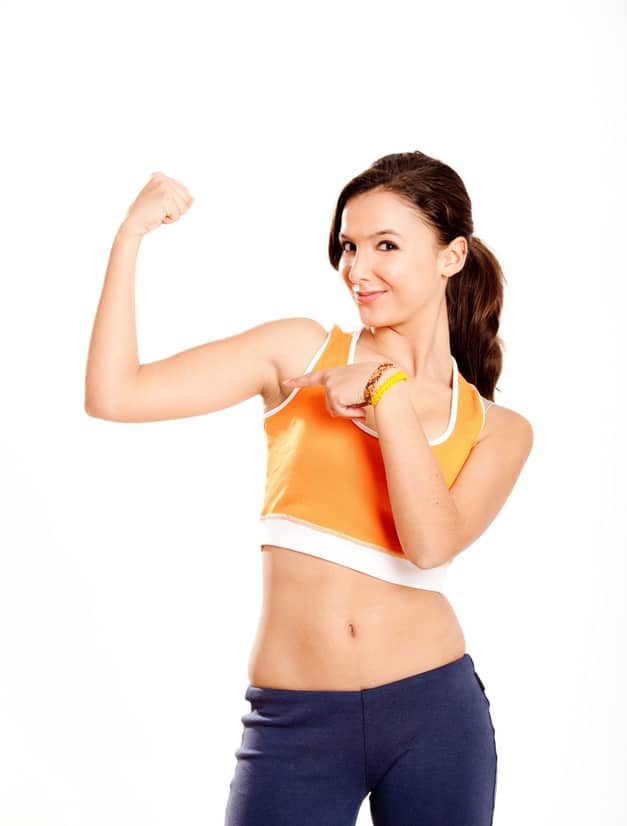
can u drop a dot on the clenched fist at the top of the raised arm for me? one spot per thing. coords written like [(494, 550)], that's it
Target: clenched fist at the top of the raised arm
[(162, 201)]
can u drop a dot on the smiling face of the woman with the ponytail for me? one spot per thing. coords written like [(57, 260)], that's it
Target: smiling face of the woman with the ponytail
[(404, 261)]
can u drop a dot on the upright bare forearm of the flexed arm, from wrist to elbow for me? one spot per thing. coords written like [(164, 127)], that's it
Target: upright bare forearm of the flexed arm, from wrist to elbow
[(113, 360)]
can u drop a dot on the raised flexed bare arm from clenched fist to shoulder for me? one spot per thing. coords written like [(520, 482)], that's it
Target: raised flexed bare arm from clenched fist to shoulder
[(199, 380)]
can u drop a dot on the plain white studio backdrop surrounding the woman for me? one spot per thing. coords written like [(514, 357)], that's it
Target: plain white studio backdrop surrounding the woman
[(130, 574)]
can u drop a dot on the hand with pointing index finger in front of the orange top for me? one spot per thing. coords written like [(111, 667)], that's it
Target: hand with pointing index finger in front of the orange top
[(344, 387)]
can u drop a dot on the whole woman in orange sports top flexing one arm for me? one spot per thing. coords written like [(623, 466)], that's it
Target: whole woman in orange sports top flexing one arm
[(383, 465)]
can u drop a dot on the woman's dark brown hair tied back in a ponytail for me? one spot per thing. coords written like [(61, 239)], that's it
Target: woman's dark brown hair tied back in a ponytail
[(474, 295)]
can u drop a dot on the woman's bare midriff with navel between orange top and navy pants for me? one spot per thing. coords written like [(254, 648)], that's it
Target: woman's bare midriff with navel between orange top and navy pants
[(327, 627)]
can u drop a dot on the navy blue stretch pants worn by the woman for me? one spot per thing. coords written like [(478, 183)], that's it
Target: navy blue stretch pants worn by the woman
[(422, 747)]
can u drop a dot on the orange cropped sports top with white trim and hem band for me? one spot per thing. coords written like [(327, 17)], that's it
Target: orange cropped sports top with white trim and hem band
[(326, 491)]
